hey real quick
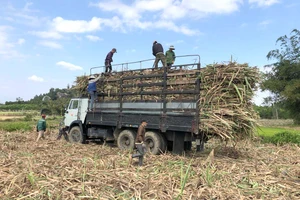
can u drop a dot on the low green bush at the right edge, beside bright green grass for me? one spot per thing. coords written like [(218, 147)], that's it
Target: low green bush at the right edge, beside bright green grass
[(283, 138)]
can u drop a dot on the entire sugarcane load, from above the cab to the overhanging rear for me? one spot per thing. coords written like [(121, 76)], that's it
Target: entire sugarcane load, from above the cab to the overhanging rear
[(225, 95)]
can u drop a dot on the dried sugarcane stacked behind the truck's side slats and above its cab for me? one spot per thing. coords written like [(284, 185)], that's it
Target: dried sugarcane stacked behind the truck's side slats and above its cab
[(110, 85)]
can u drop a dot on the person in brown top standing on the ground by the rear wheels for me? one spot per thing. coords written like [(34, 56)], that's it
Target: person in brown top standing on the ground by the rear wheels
[(139, 142)]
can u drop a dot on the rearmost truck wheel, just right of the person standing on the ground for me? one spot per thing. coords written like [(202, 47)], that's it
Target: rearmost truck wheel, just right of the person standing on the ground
[(155, 142)]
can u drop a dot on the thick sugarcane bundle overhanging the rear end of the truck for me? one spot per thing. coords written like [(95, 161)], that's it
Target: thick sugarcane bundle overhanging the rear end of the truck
[(225, 101)]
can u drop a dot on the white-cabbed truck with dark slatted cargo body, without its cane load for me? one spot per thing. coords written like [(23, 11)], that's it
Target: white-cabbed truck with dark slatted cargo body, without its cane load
[(172, 124)]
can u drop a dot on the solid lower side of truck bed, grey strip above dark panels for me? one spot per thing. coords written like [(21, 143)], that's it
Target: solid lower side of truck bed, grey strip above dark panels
[(178, 116)]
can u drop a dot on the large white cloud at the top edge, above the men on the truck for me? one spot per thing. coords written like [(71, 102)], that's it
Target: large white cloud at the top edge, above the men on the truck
[(163, 13)]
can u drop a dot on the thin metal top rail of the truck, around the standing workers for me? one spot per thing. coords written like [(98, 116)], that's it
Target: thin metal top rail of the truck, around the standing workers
[(147, 60)]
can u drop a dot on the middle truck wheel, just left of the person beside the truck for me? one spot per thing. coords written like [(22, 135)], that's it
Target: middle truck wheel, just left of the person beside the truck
[(126, 139)]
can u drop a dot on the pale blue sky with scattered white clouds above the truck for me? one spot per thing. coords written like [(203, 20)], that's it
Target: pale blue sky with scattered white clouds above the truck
[(47, 44)]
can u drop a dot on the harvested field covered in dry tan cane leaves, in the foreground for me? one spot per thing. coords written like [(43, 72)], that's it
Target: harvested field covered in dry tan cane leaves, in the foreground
[(60, 170)]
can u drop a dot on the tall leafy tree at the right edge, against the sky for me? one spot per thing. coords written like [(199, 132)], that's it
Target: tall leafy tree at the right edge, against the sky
[(283, 80)]
